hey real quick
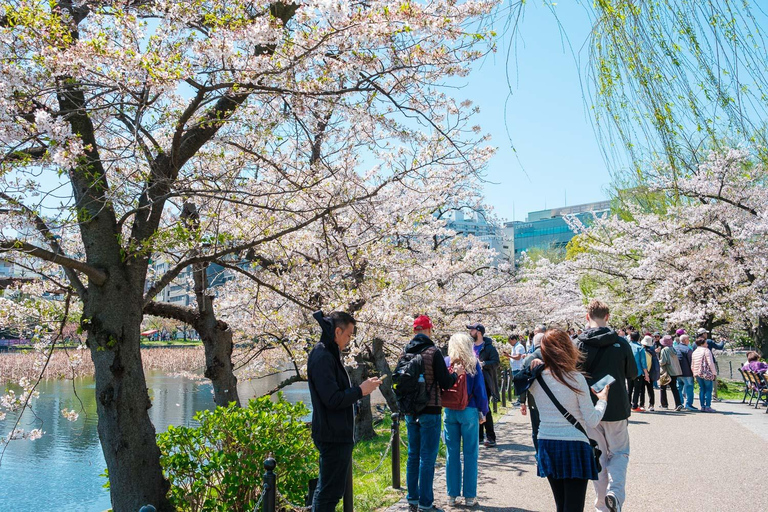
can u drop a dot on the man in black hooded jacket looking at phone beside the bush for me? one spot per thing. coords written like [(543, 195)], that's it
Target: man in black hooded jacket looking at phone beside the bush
[(333, 396)]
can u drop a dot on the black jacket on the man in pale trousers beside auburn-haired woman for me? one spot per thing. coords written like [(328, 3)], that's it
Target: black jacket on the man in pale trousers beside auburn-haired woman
[(607, 353)]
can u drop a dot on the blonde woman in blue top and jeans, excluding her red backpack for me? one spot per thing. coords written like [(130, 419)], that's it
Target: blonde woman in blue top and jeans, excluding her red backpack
[(462, 426)]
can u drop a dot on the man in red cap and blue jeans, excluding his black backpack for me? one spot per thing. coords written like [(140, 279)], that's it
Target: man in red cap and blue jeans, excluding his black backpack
[(424, 427)]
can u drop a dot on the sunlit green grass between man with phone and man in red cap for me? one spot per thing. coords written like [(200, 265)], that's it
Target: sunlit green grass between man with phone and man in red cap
[(374, 492)]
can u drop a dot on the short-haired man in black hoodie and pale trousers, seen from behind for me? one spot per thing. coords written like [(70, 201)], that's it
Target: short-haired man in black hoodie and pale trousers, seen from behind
[(608, 354)]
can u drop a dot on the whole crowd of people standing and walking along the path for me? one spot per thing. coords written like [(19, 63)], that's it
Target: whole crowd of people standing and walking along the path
[(579, 388)]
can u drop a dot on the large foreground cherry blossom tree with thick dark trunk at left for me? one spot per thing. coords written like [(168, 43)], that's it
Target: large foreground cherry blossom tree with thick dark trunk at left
[(113, 116)]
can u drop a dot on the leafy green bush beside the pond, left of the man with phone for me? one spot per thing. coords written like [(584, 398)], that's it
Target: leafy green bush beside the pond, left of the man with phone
[(219, 465)]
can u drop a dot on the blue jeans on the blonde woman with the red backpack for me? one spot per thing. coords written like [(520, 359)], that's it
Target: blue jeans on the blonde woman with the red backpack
[(461, 426)]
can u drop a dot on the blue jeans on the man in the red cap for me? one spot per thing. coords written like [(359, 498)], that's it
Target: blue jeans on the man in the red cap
[(423, 443)]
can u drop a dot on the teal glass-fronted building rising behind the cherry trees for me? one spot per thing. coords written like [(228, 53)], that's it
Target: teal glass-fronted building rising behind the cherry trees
[(547, 229)]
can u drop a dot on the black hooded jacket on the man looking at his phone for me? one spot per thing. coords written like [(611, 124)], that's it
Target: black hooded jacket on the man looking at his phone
[(330, 389)]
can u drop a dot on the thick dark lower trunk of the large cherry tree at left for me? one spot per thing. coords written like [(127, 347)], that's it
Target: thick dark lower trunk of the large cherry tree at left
[(112, 316)]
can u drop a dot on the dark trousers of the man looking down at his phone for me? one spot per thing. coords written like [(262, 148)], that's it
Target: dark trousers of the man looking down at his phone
[(335, 462)]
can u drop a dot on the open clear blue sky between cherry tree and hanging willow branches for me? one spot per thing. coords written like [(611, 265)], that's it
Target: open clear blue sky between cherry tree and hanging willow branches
[(547, 117)]
